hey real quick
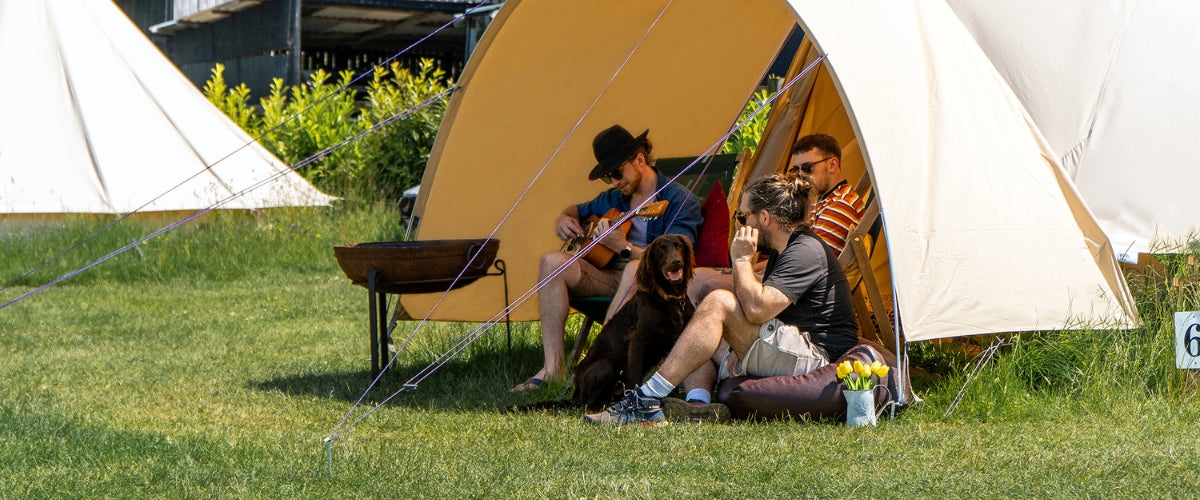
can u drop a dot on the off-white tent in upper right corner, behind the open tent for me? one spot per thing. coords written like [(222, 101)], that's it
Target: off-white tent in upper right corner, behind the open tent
[(1113, 88)]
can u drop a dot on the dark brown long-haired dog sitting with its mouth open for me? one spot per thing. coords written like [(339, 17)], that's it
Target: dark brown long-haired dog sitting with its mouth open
[(643, 333)]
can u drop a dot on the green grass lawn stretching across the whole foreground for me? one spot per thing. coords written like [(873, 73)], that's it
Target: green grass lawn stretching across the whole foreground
[(215, 362)]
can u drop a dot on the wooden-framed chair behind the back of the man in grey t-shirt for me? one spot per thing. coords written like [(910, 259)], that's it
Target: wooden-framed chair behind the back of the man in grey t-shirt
[(856, 260)]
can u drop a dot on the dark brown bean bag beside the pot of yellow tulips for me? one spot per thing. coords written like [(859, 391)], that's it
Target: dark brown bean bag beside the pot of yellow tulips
[(815, 395)]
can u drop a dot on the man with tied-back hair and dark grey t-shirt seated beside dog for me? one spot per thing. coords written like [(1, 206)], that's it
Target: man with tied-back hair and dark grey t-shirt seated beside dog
[(794, 321)]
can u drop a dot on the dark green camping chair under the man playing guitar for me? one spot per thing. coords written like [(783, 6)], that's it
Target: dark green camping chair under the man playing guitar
[(722, 168)]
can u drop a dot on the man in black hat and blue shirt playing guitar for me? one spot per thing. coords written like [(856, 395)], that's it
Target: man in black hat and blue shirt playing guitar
[(623, 161)]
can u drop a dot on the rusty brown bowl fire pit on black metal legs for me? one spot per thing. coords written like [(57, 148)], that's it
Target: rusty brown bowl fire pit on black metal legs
[(413, 268)]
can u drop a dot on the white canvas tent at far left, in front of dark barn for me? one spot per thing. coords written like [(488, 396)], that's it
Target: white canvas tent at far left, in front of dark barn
[(97, 121)]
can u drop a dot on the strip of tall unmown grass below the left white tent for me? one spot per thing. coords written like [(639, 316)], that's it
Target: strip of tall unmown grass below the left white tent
[(221, 245)]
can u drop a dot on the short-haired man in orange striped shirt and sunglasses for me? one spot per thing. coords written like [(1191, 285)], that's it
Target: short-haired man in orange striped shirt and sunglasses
[(839, 209)]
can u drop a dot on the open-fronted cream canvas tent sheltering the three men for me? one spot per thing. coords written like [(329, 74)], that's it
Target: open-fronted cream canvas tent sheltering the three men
[(986, 234)]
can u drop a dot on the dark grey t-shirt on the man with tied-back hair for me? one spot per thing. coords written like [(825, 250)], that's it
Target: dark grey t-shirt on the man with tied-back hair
[(811, 276)]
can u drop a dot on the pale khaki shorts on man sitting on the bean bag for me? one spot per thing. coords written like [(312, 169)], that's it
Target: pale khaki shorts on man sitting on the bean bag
[(779, 351)]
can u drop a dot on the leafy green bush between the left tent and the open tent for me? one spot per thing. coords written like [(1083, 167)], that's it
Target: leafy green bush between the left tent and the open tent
[(301, 122)]
